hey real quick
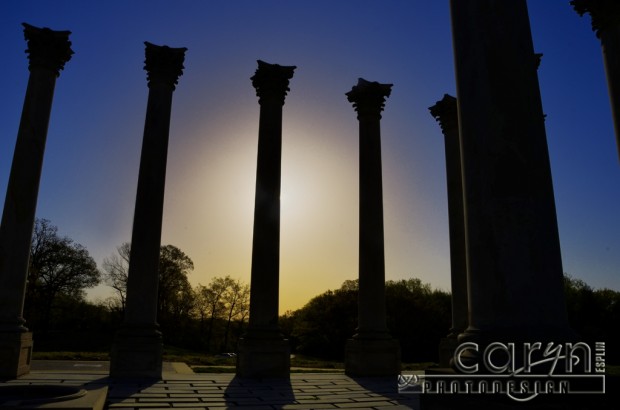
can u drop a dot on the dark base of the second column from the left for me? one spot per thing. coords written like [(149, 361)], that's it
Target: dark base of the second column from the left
[(137, 353)]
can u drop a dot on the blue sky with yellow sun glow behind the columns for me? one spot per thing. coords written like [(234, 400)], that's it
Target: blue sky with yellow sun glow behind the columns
[(90, 171)]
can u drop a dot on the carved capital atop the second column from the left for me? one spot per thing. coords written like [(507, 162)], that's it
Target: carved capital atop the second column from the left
[(163, 64)]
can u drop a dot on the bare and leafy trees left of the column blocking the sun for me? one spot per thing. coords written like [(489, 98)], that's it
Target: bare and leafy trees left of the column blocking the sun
[(205, 317)]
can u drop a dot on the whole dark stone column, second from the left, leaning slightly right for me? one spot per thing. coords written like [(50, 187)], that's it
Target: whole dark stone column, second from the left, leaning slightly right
[(137, 349)]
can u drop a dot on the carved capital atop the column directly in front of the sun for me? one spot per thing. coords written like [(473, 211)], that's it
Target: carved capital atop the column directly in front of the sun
[(271, 81)]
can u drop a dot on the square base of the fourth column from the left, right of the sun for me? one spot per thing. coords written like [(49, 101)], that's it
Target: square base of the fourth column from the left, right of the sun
[(372, 357)]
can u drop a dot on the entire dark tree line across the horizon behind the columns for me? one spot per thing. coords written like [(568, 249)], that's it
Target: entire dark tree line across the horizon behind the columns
[(212, 317)]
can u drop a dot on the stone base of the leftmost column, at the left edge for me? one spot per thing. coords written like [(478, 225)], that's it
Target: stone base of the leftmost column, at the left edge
[(15, 354)]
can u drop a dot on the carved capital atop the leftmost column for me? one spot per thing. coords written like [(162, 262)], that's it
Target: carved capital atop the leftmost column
[(47, 48)]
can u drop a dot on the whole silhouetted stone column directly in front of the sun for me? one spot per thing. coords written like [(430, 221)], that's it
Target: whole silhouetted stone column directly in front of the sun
[(263, 351)]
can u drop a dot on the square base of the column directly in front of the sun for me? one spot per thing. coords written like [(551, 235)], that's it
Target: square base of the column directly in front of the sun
[(258, 358)]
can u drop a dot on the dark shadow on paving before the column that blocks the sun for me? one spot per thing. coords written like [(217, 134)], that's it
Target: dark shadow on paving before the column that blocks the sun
[(259, 392)]
